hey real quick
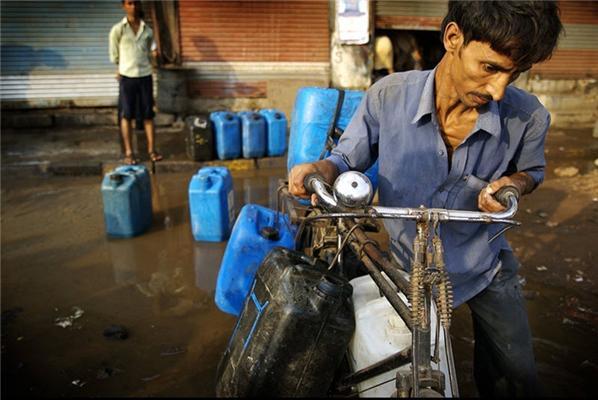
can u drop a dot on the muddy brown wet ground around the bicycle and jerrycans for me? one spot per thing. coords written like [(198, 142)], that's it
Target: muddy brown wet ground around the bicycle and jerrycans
[(57, 263)]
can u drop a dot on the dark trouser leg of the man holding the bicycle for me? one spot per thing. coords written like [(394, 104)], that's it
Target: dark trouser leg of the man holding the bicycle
[(504, 362)]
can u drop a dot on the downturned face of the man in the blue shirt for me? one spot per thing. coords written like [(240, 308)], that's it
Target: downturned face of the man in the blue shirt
[(480, 74)]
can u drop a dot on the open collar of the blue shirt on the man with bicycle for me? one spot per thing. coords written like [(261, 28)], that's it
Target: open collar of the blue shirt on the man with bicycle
[(488, 119)]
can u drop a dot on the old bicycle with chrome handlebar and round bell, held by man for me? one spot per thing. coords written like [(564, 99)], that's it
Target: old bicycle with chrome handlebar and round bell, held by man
[(347, 215)]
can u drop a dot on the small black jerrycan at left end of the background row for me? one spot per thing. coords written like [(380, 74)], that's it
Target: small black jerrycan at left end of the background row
[(199, 139)]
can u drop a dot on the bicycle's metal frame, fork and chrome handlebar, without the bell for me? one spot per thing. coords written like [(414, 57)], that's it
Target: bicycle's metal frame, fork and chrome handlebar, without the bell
[(427, 273)]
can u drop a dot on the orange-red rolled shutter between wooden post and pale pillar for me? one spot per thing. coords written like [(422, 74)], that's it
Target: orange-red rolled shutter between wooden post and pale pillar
[(267, 31)]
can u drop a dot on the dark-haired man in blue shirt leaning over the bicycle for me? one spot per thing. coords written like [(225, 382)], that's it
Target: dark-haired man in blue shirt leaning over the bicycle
[(450, 138)]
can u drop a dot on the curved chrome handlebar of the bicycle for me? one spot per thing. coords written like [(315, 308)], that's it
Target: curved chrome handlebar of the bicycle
[(508, 196)]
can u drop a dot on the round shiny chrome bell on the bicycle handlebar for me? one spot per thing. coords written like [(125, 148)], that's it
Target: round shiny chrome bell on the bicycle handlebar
[(353, 189)]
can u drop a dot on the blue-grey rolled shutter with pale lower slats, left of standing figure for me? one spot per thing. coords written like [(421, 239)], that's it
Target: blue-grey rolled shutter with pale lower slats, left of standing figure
[(57, 52)]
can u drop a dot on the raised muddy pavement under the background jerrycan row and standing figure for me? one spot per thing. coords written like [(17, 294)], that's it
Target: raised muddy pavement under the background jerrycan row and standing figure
[(94, 150)]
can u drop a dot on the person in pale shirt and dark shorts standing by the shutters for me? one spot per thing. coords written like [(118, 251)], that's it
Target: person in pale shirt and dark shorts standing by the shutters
[(132, 48)]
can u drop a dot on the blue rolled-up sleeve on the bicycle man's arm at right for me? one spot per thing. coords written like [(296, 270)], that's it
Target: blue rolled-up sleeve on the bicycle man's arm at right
[(529, 157)]
